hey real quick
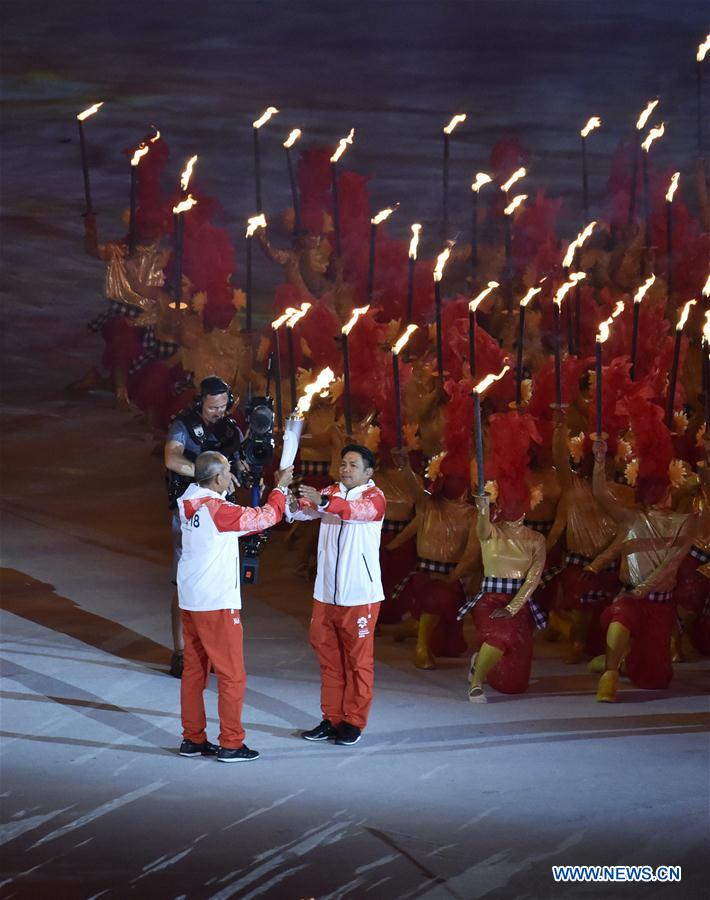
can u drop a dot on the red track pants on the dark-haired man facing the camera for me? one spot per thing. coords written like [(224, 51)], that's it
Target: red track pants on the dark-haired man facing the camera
[(343, 639)]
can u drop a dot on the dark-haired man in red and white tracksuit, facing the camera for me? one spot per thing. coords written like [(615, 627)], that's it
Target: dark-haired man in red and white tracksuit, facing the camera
[(348, 592)]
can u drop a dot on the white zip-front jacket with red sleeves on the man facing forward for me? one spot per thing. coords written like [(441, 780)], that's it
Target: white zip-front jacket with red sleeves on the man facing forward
[(348, 571)]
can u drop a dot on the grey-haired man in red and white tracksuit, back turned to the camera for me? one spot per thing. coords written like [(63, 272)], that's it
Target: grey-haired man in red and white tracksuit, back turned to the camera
[(210, 602)]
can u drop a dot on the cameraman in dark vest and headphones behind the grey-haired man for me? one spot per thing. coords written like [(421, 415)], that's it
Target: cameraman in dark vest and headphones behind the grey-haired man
[(205, 426)]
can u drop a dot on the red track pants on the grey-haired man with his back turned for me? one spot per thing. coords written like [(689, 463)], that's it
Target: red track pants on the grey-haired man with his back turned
[(214, 637)]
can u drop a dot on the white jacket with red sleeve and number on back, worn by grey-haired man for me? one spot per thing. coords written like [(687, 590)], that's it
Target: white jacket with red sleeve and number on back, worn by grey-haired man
[(208, 570)]
